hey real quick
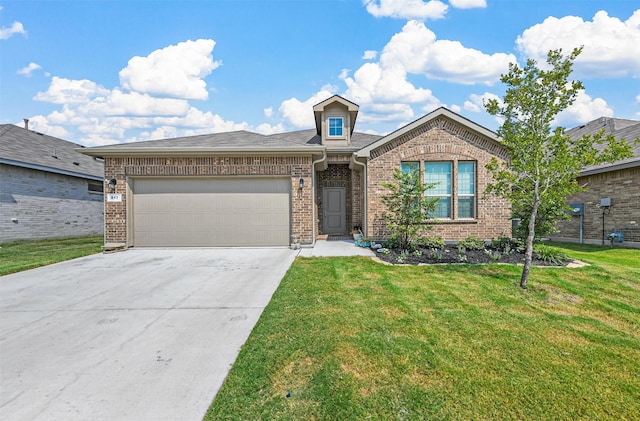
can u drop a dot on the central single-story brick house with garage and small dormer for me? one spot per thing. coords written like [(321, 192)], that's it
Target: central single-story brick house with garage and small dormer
[(246, 189)]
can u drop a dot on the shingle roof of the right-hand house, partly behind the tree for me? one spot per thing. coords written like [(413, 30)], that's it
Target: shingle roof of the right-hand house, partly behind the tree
[(621, 129)]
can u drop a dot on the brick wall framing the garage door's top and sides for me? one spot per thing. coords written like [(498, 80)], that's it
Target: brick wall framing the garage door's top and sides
[(295, 167)]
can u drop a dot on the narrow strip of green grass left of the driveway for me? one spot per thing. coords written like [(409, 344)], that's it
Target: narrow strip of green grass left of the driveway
[(23, 255)]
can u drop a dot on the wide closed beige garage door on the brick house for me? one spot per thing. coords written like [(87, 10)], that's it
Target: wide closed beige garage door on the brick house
[(211, 212)]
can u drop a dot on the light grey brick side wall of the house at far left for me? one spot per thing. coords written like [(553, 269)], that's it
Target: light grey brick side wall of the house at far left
[(37, 205)]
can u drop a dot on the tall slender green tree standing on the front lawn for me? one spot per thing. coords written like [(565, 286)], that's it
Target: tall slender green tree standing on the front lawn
[(545, 162)]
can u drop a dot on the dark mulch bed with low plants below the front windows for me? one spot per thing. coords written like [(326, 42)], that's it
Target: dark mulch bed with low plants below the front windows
[(450, 254)]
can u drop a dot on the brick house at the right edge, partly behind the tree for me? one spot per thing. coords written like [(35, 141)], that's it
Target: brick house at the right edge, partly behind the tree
[(612, 201)]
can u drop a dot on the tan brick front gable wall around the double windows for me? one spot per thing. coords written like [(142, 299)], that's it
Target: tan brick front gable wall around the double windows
[(440, 141)]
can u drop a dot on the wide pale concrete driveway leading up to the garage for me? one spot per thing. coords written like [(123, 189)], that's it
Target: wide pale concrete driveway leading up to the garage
[(145, 334)]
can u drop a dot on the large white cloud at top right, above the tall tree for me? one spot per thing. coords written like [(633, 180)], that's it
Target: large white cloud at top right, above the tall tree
[(610, 45)]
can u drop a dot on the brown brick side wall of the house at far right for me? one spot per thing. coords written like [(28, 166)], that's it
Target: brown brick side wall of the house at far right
[(623, 187)]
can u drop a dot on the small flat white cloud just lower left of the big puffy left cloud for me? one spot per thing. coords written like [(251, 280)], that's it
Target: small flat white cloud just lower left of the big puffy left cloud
[(69, 91)]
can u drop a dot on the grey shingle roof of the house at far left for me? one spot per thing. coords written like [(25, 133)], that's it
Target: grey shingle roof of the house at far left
[(19, 146)]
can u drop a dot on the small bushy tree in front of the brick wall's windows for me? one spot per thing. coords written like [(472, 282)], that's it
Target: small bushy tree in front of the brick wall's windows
[(407, 206)]
